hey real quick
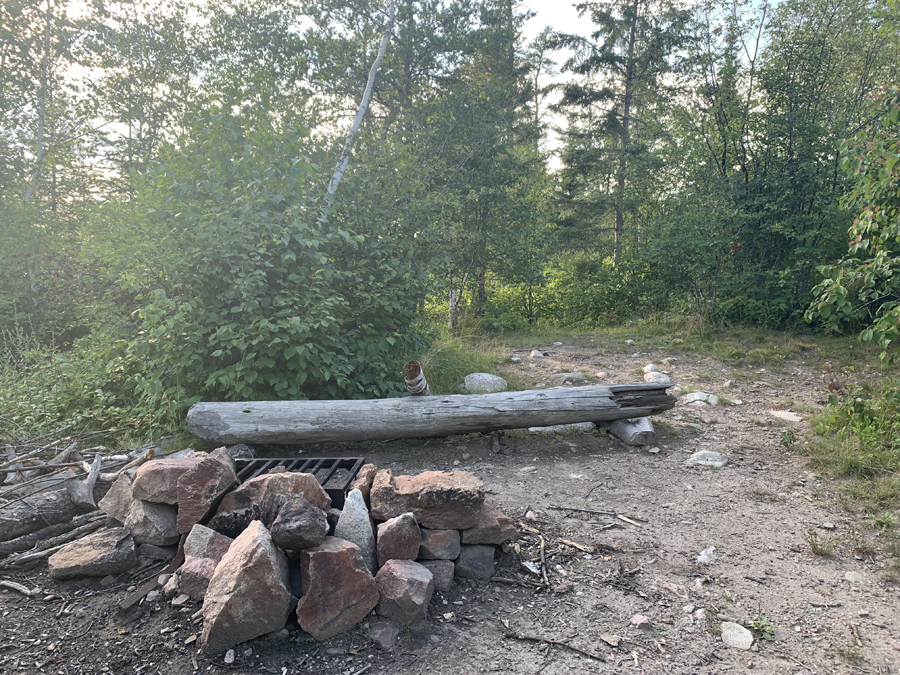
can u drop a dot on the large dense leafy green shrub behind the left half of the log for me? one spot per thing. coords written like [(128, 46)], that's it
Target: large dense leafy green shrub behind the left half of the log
[(240, 290)]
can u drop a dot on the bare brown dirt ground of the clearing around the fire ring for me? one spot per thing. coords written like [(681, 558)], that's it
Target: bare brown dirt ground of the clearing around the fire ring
[(762, 512)]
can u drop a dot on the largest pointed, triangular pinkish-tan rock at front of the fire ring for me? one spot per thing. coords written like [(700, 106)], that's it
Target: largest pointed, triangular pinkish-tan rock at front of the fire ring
[(248, 595)]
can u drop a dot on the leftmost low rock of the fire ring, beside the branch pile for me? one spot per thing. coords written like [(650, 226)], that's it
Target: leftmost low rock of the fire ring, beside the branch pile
[(96, 555)]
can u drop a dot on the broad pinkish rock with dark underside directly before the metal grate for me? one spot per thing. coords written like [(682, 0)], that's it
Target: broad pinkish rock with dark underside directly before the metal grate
[(261, 498)]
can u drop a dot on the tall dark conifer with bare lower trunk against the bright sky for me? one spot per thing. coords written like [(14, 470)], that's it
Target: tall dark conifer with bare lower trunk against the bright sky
[(619, 72)]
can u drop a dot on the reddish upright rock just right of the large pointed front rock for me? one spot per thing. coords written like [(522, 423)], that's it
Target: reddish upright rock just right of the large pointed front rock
[(339, 590)]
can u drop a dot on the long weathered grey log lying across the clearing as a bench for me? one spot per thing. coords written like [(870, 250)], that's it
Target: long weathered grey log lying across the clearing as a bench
[(416, 417)]
